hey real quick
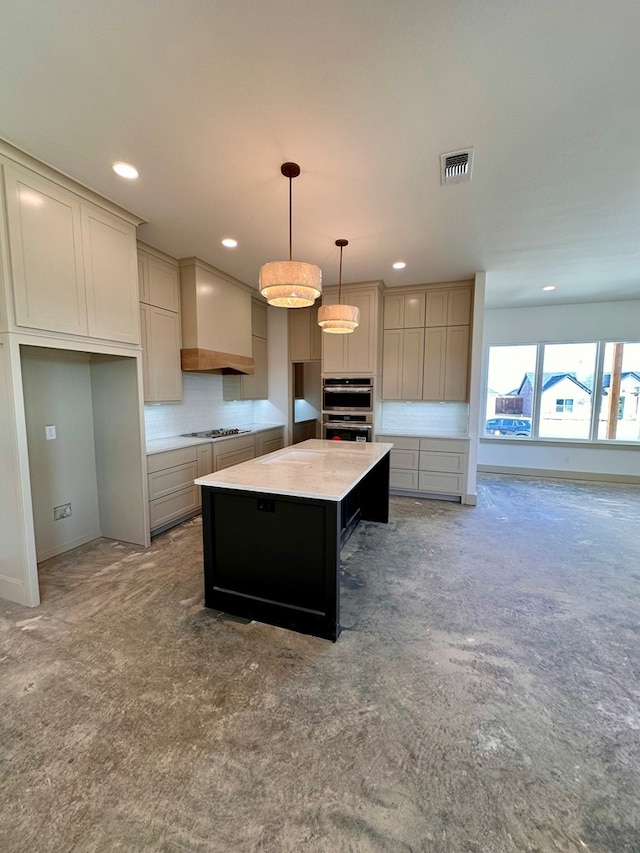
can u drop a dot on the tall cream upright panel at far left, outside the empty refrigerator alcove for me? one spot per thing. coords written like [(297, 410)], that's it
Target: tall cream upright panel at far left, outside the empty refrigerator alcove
[(18, 576)]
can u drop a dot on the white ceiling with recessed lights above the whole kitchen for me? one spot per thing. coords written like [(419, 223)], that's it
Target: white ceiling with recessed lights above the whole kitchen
[(208, 97)]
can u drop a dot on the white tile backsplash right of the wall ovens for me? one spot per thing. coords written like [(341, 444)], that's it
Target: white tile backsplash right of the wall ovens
[(423, 419)]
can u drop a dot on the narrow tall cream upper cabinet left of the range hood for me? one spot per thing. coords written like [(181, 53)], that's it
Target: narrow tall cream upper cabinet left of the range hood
[(159, 286)]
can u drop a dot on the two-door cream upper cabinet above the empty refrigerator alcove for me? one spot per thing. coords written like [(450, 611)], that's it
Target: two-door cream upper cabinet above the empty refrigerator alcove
[(73, 263)]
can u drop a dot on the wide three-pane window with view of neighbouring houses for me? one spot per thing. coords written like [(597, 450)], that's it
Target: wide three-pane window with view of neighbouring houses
[(572, 391)]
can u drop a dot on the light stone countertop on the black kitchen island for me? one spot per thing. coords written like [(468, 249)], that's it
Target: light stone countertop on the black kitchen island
[(325, 470)]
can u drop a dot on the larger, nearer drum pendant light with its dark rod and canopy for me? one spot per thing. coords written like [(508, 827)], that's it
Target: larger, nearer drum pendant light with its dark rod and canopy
[(290, 284)]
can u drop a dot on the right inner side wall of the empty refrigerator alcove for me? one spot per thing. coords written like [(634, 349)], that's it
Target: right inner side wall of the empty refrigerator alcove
[(122, 496)]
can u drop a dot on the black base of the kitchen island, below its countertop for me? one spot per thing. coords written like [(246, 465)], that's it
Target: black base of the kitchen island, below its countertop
[(276, 558)]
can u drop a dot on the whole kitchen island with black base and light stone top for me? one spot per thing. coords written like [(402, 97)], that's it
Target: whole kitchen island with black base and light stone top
[(273, 528)]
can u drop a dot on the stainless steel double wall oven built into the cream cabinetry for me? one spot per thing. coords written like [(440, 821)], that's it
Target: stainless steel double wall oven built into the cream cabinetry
[(347, 408)]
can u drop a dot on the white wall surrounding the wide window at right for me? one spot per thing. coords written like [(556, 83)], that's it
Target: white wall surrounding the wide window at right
[(616, 321)]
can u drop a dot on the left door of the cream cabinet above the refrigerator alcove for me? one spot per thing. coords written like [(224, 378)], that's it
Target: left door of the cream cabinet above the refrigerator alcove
[(45, 240)]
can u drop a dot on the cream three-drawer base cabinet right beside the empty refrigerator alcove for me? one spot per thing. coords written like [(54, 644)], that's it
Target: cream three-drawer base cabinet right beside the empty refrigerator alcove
[(173, 496)]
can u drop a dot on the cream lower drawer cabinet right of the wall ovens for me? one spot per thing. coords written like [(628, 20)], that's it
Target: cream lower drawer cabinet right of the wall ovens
[(429, 466)]
